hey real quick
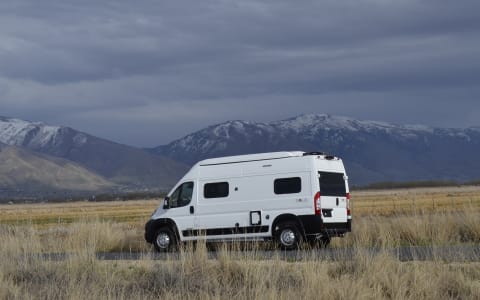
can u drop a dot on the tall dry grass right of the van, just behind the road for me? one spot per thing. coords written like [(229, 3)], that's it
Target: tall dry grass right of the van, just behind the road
[(416, 229)]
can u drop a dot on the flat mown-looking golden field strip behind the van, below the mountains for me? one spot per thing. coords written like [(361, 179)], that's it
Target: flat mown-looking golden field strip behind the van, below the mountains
[(364, 203)]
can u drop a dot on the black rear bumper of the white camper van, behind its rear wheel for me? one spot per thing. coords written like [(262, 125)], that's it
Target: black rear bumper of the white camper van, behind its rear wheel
[(313, 225)]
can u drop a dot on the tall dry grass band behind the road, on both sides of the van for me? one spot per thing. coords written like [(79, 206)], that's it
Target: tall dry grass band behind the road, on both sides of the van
[(416, 229)]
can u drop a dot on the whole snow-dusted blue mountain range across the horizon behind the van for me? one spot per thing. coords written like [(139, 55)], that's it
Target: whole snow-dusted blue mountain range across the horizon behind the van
[(373, 151)]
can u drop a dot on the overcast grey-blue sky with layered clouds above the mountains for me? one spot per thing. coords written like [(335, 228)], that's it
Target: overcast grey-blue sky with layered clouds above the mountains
[(147, 72)]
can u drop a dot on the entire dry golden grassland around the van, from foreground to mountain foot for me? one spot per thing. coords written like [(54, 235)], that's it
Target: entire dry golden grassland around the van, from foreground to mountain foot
[(382, 219)]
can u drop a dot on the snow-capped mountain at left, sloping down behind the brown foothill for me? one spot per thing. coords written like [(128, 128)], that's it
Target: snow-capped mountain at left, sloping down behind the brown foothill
[(121, 164)]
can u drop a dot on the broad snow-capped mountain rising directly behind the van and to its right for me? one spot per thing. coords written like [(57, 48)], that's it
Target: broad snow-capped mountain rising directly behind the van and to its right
[(373, 151)]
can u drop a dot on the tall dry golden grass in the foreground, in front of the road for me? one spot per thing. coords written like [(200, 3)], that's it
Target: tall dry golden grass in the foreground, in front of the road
[(193, 275)]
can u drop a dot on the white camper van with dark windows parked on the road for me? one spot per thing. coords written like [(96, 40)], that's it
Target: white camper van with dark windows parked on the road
[(289, 197)]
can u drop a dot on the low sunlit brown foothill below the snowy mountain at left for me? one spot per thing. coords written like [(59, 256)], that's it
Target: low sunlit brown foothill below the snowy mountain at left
[(26, 171)]
